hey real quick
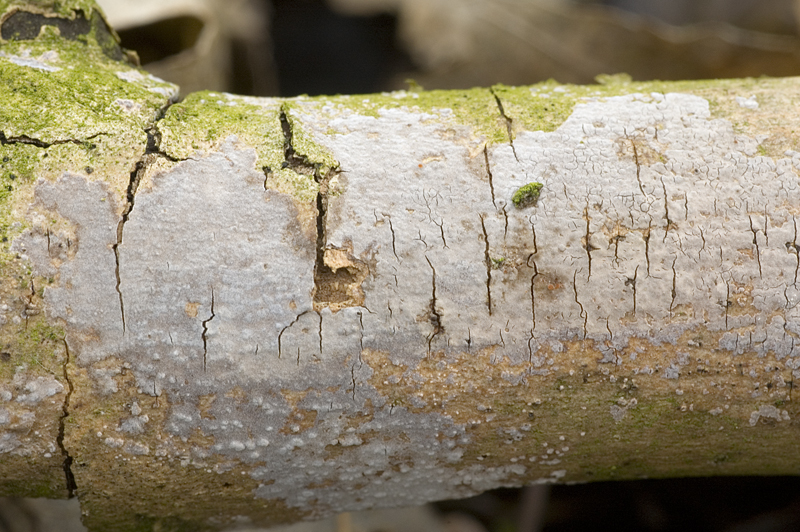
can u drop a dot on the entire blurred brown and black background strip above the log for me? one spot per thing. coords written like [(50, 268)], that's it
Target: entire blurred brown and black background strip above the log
[(291, 47)]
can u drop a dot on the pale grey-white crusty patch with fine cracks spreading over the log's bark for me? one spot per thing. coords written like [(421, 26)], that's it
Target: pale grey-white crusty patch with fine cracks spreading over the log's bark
[(651, 218)]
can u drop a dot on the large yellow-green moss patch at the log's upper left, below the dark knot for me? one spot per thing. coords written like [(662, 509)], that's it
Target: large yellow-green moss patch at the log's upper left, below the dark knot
[(77, 103)]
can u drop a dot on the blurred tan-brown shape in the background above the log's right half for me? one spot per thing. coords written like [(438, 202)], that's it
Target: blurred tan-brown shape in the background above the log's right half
[(464, 43)]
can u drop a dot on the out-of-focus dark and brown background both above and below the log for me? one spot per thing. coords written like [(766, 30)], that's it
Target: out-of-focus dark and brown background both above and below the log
[(292, 47)]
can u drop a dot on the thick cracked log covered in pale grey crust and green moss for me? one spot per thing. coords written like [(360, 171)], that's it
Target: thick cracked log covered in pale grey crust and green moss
[(327, 304)]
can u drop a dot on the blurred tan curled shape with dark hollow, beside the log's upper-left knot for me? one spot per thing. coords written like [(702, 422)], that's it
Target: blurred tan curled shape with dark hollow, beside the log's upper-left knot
[(199, 44)]
